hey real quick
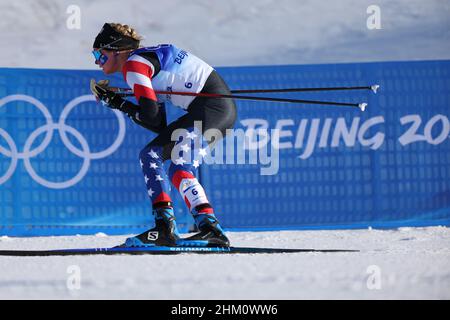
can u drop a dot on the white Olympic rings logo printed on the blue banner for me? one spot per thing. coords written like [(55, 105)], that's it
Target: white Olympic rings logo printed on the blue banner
[(63, 129)]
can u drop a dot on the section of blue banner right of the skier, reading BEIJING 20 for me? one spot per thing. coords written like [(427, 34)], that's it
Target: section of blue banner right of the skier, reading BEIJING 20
[(339, 167)]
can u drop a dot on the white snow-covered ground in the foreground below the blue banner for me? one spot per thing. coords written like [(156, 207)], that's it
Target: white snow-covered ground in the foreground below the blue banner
[(408, 263)]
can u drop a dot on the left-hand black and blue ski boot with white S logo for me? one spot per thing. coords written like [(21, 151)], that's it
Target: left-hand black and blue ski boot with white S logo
[(164, 233)]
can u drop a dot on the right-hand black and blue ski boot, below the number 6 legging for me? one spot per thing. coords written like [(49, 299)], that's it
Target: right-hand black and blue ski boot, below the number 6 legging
[(211, 233)]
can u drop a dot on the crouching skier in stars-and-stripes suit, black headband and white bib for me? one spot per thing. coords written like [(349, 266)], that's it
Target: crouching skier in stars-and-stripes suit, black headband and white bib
[(166, 68)]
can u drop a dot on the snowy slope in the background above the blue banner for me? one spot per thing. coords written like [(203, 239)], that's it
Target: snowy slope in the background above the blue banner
[(232, 32)]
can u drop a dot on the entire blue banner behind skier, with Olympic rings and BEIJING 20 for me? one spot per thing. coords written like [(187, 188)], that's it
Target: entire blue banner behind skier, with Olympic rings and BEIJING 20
[(70, 166)]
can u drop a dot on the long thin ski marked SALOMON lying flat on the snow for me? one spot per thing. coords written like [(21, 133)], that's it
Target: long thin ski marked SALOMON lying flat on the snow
[(160, 251)]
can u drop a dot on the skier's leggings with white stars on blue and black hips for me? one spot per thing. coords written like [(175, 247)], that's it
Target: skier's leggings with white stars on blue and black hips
[(210, 113)]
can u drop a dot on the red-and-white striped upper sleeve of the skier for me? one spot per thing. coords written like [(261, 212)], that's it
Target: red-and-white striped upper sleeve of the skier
[(137, 72)]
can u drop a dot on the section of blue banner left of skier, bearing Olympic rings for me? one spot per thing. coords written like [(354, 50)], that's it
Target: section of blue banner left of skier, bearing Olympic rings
[(69, 165)]
